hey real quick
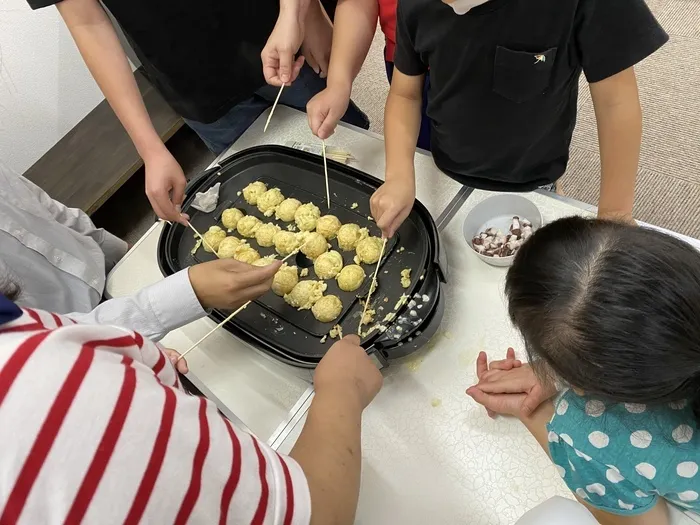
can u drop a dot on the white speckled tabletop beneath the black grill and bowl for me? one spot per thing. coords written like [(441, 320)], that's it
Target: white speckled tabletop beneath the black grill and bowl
[(430, 455)]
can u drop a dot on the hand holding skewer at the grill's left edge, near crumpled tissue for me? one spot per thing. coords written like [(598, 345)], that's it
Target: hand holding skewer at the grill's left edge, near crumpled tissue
[(165, 186)]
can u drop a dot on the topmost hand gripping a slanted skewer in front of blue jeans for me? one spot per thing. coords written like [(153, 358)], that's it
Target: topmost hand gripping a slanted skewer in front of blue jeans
[(279, 66)]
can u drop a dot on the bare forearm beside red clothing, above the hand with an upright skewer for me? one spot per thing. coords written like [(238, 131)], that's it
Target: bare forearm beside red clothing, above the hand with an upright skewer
[(353, 31)]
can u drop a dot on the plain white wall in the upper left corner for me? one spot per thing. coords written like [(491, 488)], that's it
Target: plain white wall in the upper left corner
[(45, 89)]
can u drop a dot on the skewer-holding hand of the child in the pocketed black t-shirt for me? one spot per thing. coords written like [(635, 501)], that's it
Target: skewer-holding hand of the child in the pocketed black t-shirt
[(392, 203)]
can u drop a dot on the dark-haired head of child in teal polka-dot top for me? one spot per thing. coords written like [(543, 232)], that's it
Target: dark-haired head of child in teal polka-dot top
[(611, 309)]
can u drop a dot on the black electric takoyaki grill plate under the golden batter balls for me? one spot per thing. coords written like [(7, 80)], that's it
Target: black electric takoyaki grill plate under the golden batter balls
[(276, 328)]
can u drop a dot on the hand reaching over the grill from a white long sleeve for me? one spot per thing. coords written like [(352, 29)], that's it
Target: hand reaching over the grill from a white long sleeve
[(228, 284)]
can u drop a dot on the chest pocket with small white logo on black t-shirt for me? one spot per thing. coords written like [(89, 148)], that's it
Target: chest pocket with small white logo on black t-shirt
[(521, 76)]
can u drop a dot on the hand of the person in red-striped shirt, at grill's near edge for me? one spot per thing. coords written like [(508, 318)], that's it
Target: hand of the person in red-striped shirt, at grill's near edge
[(347, 369)]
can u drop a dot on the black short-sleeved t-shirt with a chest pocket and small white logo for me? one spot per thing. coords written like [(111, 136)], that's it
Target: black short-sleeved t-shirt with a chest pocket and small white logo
[(504, 78)]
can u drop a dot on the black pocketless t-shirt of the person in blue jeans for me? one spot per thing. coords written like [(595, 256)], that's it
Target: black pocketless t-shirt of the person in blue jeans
[(202, 55)]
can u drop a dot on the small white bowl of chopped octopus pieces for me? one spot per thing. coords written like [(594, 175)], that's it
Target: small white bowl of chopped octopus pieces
[(498, 212)]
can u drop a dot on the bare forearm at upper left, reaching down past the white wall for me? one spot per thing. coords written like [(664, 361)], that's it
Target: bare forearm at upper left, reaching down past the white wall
[(105, 58)]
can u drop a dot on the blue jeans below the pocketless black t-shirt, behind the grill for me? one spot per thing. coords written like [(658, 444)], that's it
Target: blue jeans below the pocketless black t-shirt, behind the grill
[(219, 135)]
